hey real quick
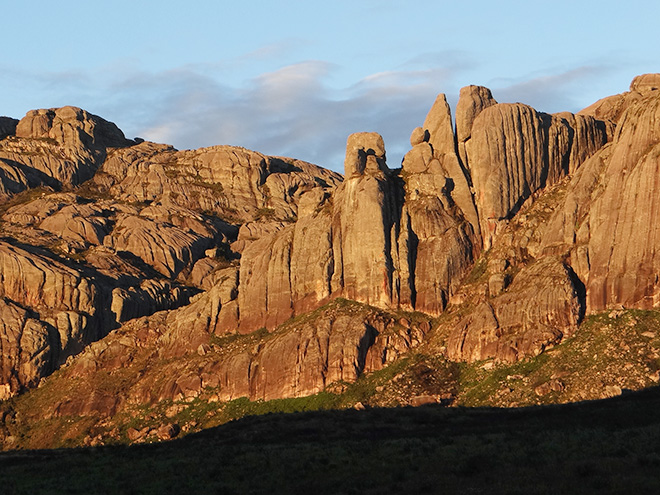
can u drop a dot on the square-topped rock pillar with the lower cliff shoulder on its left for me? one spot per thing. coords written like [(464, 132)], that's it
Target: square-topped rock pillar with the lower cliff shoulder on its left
[(337, 247)]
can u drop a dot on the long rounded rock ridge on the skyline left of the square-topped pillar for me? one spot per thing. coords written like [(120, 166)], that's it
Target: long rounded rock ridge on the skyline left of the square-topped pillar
[(234, 183)]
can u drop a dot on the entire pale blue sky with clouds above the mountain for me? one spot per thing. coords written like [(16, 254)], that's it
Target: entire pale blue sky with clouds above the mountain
[(295, 78)]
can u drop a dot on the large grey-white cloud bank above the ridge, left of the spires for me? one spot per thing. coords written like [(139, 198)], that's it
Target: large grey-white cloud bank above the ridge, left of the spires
[(292, 111)]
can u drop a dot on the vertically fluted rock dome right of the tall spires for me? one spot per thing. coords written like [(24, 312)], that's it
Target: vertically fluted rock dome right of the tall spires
[(514, 151)]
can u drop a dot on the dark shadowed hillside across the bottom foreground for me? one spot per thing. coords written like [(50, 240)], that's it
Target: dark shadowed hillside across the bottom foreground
[(600, 447)]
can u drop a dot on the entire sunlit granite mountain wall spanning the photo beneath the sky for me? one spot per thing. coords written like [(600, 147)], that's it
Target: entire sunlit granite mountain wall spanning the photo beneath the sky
[(221, 273)]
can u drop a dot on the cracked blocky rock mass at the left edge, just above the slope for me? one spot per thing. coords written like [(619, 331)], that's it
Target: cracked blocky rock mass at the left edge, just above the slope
[(49, 313)]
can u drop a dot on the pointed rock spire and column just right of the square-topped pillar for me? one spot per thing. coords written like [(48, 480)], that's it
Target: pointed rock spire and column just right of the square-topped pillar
[(437, 245)]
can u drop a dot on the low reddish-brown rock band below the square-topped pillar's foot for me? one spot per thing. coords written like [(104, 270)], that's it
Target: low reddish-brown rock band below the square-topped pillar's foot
[(334, 345)]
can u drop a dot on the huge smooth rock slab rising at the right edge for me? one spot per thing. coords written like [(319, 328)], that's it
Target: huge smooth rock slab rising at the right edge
[(607, 221)]
